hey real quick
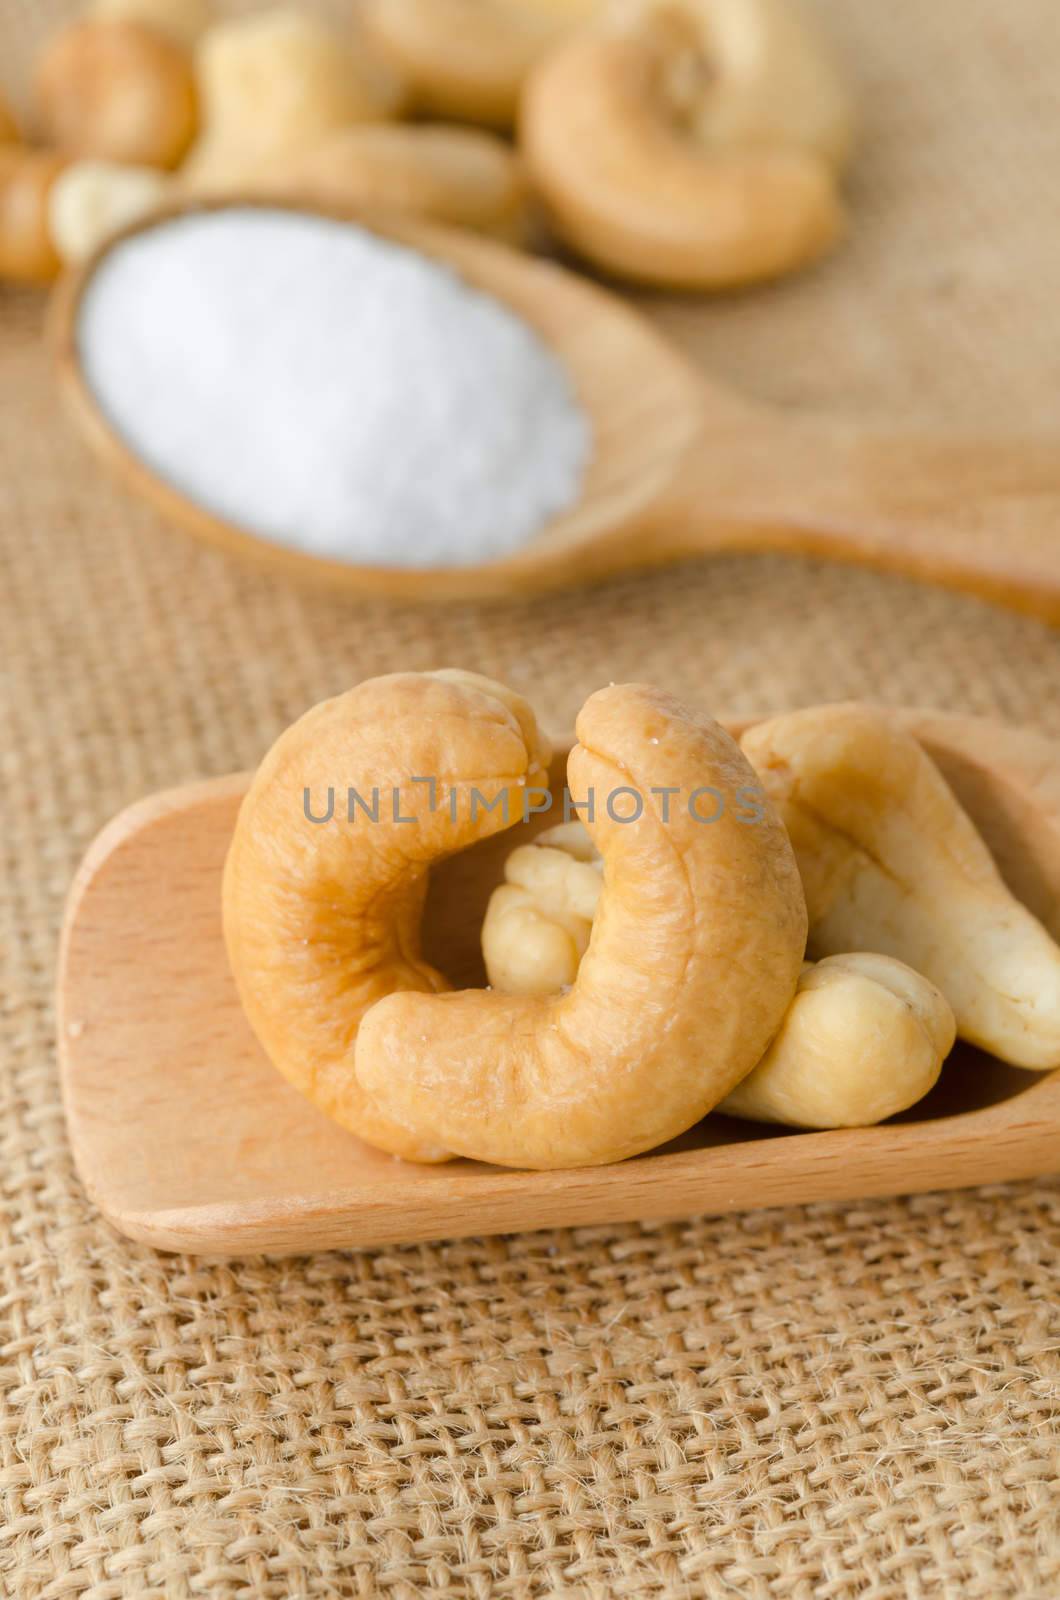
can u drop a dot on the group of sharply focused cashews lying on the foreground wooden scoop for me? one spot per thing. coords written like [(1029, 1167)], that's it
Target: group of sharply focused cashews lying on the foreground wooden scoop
[(644, 969)]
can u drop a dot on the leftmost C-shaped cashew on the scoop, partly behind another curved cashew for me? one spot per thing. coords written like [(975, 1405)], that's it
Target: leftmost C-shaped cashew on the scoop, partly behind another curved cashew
[(323, 918)]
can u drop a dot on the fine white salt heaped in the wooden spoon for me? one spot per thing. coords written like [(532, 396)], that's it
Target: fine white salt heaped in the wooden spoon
[(331, 391)]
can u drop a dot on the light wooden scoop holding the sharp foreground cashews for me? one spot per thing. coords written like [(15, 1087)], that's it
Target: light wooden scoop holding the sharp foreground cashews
[(187, 1137)]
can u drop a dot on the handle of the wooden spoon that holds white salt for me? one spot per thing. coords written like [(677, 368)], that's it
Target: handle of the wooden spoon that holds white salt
[(976, 514)]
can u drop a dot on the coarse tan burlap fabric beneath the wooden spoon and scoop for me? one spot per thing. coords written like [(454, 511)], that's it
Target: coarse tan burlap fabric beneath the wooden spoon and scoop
[(833, 1402)]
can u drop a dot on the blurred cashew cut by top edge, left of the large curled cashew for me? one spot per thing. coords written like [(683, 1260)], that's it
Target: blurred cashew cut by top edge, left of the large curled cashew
[(467, 60)]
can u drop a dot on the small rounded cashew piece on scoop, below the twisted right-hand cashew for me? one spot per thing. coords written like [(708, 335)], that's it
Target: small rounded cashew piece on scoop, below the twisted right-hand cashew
[(865, 1038)]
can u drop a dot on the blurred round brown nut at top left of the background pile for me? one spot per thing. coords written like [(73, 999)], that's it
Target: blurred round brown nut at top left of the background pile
[(118, 92)]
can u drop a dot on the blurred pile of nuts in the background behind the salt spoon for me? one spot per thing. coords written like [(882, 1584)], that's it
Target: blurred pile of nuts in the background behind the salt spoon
[(683, 143)]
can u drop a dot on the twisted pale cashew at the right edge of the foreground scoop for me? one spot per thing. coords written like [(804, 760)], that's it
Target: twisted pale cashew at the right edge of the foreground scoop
[(893, 863)]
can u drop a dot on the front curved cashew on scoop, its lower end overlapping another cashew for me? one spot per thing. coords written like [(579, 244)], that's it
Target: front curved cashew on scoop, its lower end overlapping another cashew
[(694, 959)]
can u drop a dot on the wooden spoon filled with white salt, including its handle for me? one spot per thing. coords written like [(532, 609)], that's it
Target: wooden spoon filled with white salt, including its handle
[(681, 466)]
